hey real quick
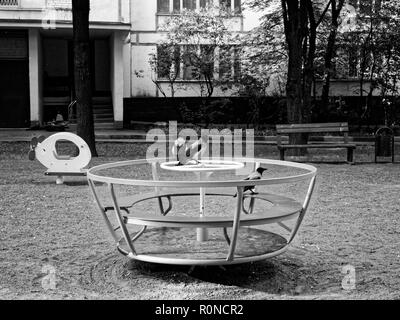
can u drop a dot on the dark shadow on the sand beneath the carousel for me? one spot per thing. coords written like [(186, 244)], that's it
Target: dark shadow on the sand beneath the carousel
[(274, 276)]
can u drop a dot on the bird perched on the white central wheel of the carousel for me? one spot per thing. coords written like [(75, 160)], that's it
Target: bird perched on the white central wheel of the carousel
[(189, 154)]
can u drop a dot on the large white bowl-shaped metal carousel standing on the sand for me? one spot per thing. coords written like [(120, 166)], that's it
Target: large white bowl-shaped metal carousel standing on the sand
[(175, 244)]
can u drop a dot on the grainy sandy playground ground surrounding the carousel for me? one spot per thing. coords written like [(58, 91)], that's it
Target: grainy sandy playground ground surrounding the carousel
[(54, 232)]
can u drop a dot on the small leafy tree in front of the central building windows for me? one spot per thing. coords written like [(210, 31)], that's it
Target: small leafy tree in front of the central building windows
[(192, 39)]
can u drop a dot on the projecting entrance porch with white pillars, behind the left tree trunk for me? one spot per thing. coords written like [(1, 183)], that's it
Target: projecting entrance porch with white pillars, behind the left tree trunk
[(36, 60)]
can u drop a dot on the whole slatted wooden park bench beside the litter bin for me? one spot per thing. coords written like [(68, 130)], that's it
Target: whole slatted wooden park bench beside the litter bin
[(336, 127)]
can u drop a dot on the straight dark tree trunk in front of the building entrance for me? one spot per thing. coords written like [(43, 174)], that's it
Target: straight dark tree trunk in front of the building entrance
[(85, 123)]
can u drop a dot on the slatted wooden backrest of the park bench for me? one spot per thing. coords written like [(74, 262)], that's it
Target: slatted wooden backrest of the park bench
[(341, 127)]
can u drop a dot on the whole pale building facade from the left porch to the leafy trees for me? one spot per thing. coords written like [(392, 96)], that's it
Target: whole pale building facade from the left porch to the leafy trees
[(36, 56)]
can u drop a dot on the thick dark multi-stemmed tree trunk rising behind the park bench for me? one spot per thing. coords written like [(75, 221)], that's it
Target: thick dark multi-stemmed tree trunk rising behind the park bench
[(300, 20)]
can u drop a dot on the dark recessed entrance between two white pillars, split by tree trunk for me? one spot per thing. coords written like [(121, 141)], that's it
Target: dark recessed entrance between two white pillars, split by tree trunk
[(58, 77)]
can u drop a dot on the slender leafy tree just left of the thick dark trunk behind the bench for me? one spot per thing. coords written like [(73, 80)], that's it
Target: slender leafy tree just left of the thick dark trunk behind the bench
[(263, 59)]
